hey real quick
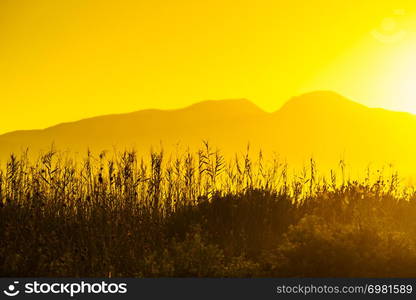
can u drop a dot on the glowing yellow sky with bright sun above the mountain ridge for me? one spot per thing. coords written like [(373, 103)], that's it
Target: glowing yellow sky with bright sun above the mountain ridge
[(67, 60)]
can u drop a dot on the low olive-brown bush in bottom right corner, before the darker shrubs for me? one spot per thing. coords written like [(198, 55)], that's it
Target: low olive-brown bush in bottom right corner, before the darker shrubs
[(316, 248)]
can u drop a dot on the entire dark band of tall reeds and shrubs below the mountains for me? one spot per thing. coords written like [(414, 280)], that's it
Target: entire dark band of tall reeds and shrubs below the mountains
[(198, 214)]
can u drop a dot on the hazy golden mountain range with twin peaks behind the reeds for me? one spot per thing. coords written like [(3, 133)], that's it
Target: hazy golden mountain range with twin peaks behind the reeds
[(323, 125)]
